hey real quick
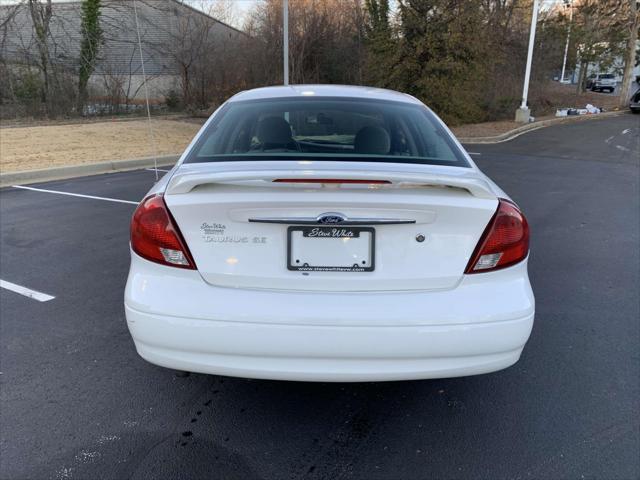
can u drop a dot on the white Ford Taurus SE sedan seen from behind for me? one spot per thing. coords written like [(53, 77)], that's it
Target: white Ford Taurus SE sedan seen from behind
[(328, 233)]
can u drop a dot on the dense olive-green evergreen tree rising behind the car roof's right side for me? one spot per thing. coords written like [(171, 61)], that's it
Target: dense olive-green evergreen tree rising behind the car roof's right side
[(442, 56)]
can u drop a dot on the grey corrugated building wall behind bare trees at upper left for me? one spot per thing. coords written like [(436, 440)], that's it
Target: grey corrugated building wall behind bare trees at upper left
[(170, 32)]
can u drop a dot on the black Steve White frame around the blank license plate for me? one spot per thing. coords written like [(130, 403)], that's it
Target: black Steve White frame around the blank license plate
[(328, 268)]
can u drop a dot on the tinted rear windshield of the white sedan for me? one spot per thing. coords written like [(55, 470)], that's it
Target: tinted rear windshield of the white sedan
[(326, 129)]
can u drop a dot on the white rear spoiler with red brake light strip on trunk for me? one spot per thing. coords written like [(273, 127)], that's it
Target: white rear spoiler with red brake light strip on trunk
[(185, 182)]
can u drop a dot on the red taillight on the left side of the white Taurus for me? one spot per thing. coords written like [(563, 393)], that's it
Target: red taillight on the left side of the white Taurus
[(155, 236)]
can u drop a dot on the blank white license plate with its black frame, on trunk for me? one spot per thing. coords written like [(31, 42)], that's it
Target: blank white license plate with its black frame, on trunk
[(331, 249)]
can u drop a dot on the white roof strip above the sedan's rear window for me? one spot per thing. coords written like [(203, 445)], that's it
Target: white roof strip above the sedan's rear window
[(346, 91)]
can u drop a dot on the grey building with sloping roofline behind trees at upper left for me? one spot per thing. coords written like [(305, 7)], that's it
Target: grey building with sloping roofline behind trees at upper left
[(180, 46)]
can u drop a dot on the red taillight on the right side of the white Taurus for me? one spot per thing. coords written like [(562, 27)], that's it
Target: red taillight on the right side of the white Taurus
[(504, 242)]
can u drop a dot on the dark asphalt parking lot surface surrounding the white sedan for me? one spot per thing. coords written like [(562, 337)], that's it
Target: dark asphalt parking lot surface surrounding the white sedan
[(77, 402)]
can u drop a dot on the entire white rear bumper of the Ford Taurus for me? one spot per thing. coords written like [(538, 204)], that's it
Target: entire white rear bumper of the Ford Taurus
[(179, 321)]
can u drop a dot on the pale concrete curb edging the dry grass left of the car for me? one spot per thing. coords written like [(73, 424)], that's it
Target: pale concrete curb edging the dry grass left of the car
[(60, 173)]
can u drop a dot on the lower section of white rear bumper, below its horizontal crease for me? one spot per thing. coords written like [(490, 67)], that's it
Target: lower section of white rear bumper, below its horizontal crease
[(312, 353)]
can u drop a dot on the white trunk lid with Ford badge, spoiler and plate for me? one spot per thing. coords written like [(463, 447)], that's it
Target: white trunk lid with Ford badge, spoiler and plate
[(248, 223)]
